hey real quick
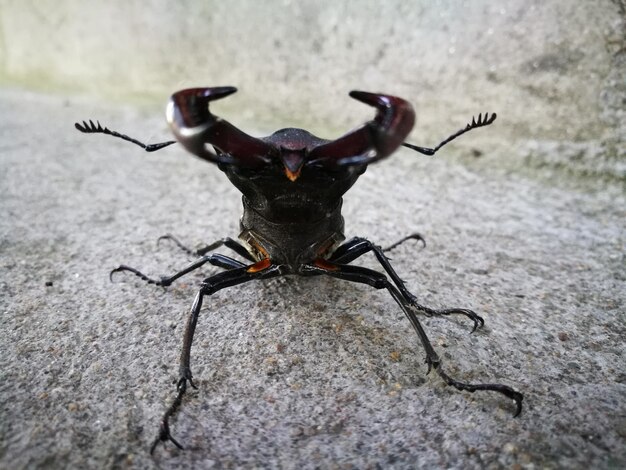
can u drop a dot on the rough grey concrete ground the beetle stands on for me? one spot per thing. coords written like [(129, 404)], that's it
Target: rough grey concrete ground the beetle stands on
[(299, 373)]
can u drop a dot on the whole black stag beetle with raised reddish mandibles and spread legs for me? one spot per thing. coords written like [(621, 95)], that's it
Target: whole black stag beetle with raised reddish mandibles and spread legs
[(292, 184)]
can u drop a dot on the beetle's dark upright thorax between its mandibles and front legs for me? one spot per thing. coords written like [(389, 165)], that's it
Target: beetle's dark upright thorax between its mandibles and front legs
[(292, 220)]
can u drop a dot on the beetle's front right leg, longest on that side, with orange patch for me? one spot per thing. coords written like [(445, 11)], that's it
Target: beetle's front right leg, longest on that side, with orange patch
[(380, 281)]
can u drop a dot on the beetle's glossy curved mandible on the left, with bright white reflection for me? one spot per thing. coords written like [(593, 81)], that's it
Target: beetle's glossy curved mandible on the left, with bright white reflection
[(194, 127)]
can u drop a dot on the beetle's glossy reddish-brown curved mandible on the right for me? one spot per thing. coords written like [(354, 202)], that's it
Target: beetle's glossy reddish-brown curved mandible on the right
[(374, 140)]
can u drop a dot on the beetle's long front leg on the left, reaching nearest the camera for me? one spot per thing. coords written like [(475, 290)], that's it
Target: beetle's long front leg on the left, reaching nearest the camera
[(210, 285)]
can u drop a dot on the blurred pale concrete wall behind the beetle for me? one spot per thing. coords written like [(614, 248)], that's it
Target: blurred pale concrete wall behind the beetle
[(554, 71)]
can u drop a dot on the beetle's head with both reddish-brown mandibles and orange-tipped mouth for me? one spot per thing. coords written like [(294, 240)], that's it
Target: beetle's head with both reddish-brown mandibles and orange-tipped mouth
[(196, 129)]
